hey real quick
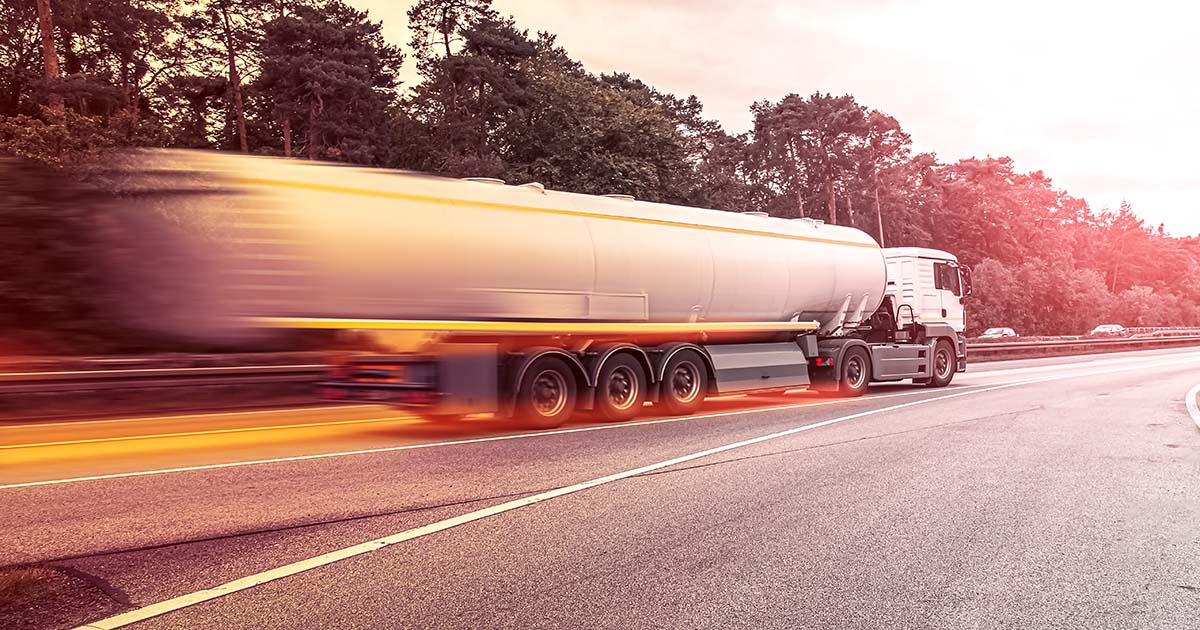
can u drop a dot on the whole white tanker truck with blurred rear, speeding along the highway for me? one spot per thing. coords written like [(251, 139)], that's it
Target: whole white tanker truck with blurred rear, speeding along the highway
[(535, 304)]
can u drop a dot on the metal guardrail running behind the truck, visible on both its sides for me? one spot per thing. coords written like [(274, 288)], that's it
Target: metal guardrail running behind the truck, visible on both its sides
[(35, 382)]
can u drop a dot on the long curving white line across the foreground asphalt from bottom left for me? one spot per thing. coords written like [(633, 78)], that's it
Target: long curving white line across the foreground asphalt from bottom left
[(325, 560)]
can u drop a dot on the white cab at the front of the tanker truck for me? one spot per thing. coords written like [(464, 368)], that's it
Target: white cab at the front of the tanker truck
[(927, 285)]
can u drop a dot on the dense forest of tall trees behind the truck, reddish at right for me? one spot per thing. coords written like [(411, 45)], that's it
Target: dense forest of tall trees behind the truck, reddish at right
[(317, 80)]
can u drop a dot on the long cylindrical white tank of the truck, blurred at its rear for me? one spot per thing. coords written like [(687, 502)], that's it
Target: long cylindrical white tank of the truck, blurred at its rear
[(223, 237)]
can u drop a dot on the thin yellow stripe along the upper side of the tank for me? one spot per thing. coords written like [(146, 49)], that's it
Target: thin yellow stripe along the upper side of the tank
[(517, 208)]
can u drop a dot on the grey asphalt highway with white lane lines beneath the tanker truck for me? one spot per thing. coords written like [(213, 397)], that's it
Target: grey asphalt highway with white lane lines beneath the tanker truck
[(1037, 494)]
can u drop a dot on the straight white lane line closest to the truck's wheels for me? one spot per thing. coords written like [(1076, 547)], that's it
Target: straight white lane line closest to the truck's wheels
[(449, 443)]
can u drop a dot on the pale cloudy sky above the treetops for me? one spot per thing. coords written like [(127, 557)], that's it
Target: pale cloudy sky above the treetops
[(1101, 97)]
